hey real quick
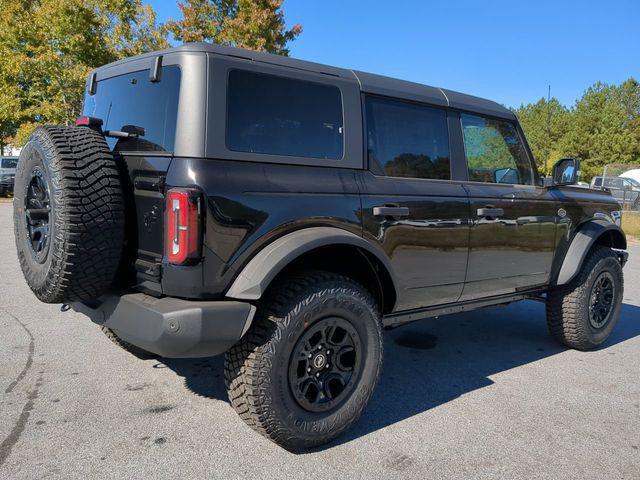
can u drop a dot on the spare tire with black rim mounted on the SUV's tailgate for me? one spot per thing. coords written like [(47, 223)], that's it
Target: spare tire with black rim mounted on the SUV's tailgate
[(68, 214)]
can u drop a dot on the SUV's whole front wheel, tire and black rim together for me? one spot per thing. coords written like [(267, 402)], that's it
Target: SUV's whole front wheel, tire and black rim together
[(582, 315)]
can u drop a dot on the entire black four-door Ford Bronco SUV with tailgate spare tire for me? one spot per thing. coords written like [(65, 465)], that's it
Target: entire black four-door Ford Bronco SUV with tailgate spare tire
[(216, 200)]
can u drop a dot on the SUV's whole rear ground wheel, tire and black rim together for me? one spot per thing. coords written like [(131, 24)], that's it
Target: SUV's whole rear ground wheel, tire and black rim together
[(308, 365)]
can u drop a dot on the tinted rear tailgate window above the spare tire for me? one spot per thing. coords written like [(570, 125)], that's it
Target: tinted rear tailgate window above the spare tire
[(135, 101)]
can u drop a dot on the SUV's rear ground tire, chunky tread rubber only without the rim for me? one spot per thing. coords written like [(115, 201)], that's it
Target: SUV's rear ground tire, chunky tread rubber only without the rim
[(256, 367)]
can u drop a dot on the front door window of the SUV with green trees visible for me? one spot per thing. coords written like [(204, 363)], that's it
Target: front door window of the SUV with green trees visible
[(495, 152)]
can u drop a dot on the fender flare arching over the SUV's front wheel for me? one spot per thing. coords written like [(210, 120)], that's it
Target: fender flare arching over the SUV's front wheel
[(583, 240)]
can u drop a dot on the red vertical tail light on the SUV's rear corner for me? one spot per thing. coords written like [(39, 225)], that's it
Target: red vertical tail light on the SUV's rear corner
[(183, 231)]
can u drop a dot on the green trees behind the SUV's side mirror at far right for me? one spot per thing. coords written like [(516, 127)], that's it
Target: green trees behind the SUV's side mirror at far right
[(601, 128)]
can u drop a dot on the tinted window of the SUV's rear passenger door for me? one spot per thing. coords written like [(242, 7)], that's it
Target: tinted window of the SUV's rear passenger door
[(408, 140)]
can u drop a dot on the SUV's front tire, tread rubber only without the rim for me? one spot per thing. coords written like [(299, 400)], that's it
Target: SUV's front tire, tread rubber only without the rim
[(568, 306)]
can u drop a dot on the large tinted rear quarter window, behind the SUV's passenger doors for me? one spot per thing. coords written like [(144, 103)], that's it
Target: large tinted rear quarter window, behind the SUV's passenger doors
[(282, 116)]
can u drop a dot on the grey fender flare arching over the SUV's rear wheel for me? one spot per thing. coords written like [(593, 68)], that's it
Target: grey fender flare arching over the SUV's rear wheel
[(256, 275)]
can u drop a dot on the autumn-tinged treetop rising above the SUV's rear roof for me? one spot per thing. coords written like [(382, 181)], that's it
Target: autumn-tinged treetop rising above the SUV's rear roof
[(252, 24)]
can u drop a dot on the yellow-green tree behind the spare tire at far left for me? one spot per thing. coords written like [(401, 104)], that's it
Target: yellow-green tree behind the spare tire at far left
[(48, 47)]
